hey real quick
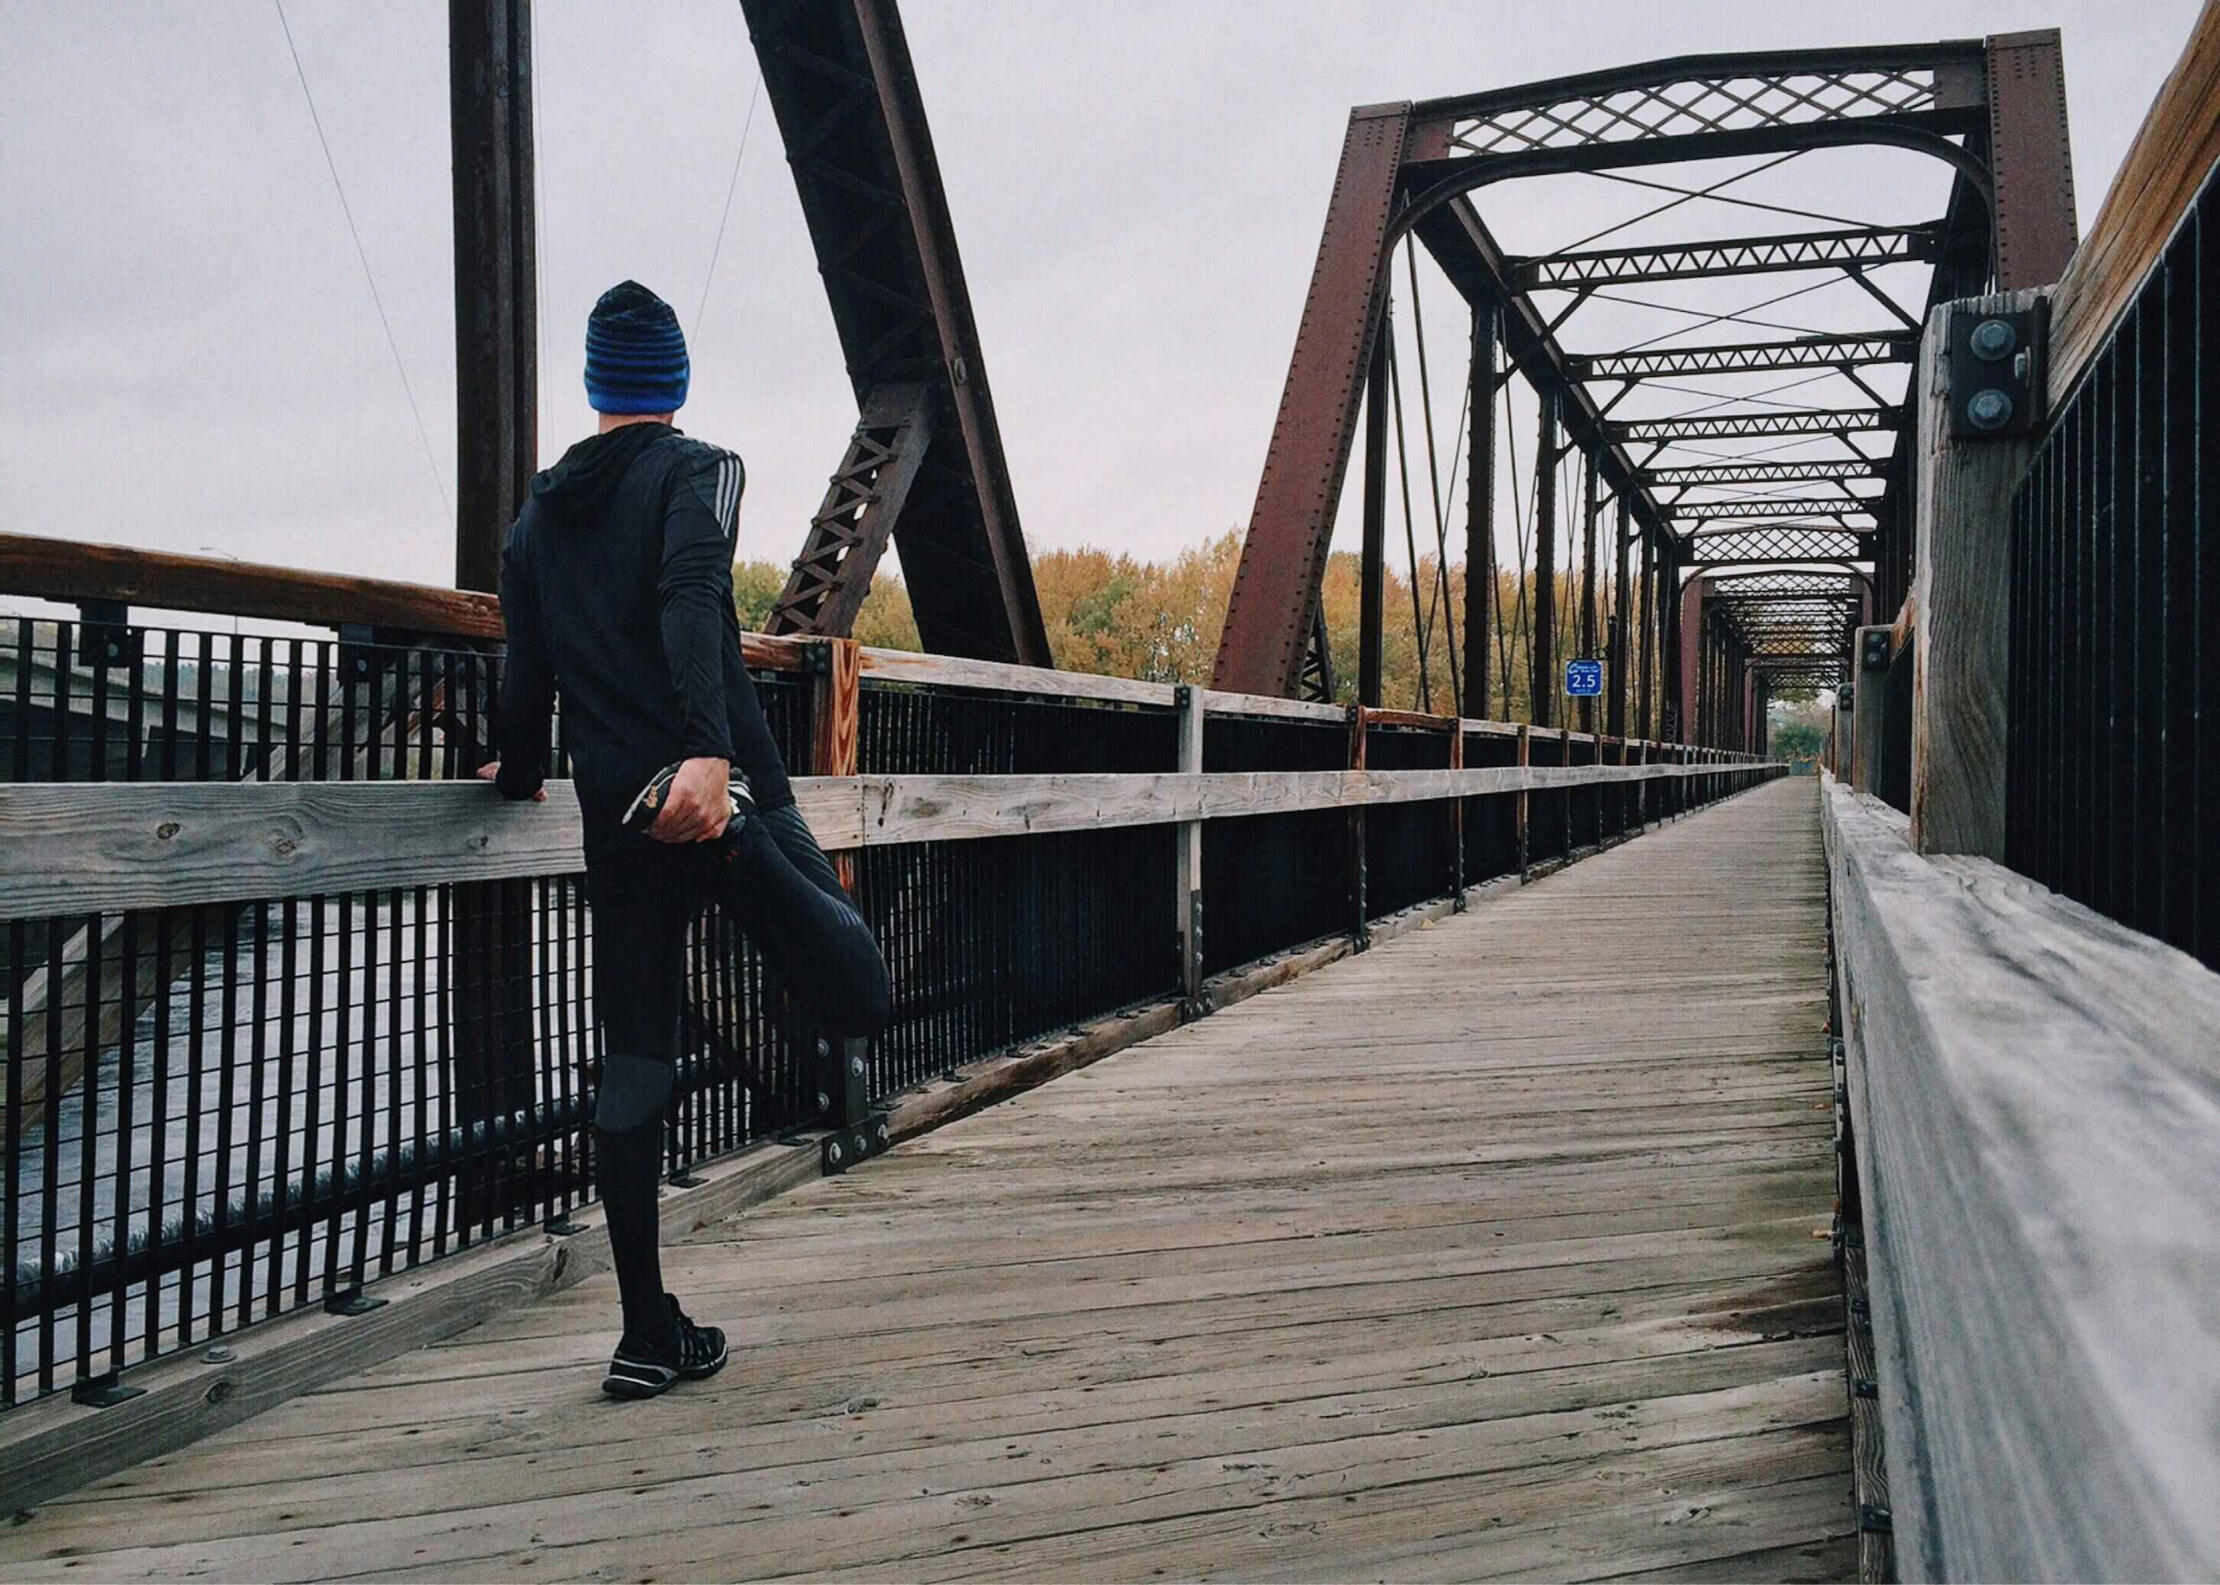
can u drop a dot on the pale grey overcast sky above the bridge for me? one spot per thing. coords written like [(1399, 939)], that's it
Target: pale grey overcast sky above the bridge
[(192, 356)]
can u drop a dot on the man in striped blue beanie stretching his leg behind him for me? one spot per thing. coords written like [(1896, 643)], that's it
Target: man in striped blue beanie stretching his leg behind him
[(618, 594)]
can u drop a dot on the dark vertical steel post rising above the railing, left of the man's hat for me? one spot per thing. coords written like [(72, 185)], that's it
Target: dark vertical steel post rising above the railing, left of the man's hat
[(496, 299)]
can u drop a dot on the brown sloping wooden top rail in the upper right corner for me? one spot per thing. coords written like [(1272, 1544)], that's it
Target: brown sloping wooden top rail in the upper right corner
[(2170, 161)]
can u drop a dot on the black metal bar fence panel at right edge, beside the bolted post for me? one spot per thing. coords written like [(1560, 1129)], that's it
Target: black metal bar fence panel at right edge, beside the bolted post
[(2115, 751)]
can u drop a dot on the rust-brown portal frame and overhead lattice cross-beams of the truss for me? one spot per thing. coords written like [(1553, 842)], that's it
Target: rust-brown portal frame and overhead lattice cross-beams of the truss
[(1409, 170)]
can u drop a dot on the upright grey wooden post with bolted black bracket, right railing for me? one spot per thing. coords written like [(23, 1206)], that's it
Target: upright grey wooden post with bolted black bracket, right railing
[(1961, 587)]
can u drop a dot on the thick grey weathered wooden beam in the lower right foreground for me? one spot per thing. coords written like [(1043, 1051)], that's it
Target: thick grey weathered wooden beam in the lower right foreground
[(2039, 1140)]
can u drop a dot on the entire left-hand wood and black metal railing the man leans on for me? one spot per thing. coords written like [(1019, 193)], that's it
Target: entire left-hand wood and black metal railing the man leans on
[(339, 1020)]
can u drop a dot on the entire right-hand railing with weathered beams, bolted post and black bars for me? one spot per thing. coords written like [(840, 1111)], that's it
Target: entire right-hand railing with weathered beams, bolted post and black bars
[(2035, 1053)]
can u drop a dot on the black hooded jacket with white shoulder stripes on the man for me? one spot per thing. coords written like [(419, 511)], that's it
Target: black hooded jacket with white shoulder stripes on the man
[(618, 594)]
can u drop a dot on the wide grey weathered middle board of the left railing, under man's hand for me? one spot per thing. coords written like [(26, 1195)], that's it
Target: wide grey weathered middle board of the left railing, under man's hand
[(94, 847)]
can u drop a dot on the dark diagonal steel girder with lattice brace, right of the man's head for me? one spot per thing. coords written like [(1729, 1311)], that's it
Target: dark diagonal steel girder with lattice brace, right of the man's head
[(936, 483)]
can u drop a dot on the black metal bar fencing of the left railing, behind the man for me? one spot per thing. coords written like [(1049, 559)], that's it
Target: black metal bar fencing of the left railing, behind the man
[(221, 1113)]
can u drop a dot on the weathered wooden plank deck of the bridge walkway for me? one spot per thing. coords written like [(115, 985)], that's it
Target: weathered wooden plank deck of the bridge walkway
[(1491, 1253)]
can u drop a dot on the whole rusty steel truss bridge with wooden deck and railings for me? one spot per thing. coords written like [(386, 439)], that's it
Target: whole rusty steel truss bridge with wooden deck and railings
[(1646, 1160)]
